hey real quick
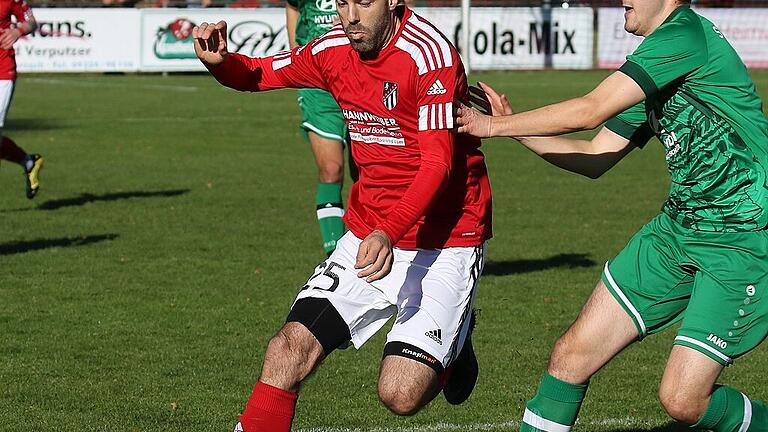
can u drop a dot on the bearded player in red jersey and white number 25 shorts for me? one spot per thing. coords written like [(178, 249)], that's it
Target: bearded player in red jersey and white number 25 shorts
[(419, 214)]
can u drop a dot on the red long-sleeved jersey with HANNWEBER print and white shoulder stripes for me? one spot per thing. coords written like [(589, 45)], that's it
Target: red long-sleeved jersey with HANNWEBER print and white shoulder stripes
[(421, 183)]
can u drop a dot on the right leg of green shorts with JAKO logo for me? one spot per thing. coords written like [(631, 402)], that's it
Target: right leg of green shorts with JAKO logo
[(728, 312)]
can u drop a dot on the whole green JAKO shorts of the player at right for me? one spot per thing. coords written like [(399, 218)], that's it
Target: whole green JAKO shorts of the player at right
[(716, 283)]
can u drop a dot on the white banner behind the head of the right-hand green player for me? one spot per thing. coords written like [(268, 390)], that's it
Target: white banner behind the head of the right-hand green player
[(744, 28)]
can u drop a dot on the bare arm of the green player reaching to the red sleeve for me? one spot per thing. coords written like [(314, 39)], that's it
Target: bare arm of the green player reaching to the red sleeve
[(614, 95)]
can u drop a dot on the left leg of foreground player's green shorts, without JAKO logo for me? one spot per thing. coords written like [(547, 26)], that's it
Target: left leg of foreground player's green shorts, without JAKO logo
[(650, 277)]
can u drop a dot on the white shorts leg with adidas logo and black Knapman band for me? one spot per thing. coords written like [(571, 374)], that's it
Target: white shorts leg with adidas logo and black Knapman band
[(435, 296)]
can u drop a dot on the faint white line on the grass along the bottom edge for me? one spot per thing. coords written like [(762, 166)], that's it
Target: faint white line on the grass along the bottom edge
[(477, 427)]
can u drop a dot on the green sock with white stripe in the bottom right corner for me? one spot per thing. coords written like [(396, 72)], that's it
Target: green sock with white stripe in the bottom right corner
[(730, 410)]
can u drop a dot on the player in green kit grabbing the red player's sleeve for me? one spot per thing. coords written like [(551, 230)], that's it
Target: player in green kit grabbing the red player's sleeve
[(704, 258)]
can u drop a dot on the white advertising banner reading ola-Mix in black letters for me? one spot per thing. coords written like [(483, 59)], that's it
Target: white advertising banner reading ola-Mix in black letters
[(521, 38)]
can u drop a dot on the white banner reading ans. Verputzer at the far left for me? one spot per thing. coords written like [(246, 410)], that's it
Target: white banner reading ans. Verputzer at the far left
[(81, 40)]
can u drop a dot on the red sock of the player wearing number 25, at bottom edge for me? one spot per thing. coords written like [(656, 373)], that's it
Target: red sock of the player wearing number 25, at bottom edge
[(269, 409)]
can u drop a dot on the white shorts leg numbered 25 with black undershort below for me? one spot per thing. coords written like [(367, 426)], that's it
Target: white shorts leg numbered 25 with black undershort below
[(356, 308)]
